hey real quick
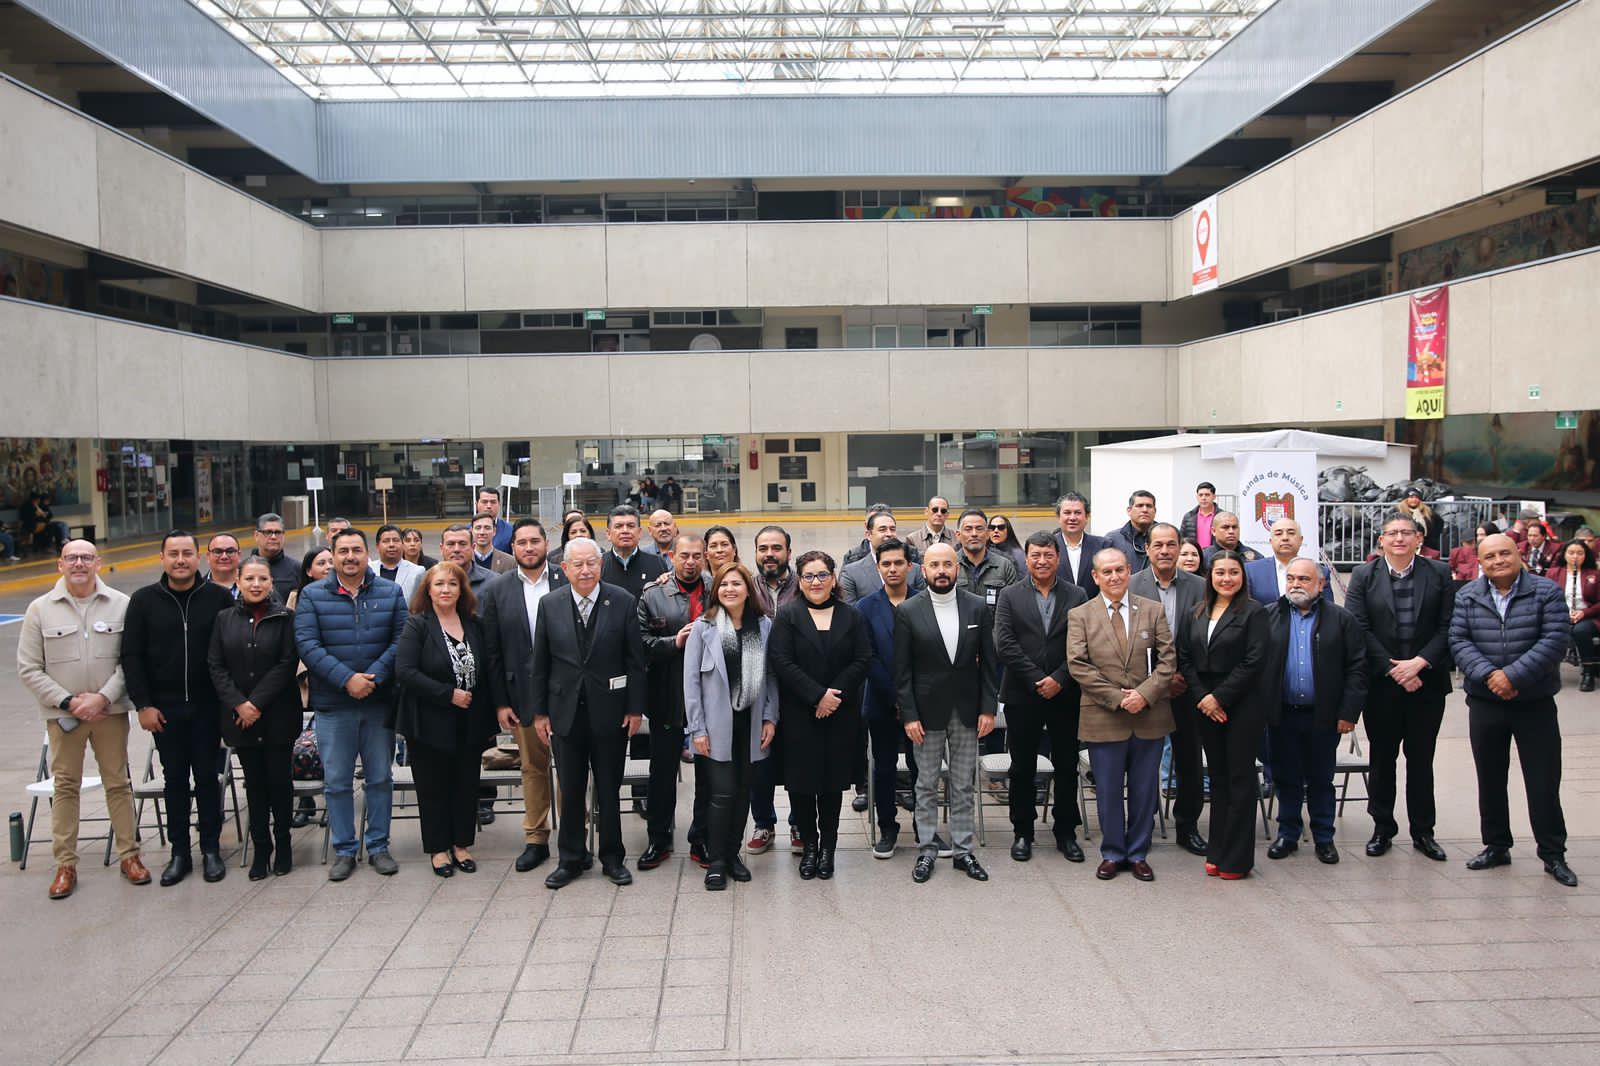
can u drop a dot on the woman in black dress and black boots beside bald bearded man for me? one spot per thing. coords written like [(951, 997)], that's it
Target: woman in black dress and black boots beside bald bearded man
[(820, 654)]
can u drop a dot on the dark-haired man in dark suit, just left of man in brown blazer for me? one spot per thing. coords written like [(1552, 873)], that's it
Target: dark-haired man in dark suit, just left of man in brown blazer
[(1039, 694)]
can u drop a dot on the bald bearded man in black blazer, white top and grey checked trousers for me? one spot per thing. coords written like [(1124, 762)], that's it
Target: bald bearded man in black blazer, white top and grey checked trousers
[(945, 676)]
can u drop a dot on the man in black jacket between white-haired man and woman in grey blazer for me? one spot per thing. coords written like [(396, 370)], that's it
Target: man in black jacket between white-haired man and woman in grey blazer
[(666, 614)]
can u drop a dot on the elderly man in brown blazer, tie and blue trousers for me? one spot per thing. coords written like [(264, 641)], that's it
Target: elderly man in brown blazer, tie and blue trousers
[(1121, 652)]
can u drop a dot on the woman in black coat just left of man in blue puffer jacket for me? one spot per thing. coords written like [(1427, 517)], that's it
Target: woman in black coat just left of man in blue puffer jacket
[(254, 662)]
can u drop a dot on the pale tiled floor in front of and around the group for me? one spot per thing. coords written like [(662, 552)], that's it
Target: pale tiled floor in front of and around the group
[(1393, 961)]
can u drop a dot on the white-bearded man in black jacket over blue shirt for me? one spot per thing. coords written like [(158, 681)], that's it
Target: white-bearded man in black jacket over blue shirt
[(1319, 671)]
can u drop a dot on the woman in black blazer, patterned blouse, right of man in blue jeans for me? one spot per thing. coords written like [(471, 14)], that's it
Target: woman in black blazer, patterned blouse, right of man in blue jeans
[(446, 713)]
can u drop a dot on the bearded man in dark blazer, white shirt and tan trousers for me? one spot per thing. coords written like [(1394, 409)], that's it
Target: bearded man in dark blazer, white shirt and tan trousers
[(510, 609)]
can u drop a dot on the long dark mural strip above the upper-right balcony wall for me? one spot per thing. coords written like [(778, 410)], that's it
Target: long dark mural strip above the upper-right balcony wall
[(1538, 236)]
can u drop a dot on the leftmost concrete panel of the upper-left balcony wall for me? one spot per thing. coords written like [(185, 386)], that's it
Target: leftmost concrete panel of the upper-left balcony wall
[(50, 186)]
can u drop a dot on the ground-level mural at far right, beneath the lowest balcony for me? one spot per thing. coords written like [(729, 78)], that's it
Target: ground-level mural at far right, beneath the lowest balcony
[(1508, 451)]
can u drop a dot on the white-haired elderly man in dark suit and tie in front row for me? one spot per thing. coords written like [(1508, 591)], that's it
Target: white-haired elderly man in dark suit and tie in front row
[(586, 689)]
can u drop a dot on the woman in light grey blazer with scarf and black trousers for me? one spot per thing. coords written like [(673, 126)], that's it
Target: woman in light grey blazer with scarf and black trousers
[(730, 702)]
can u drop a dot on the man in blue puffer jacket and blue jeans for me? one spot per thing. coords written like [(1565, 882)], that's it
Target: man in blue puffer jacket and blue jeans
[(348, 628)]
